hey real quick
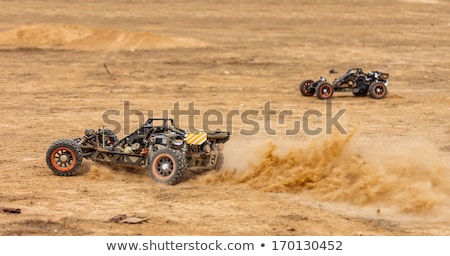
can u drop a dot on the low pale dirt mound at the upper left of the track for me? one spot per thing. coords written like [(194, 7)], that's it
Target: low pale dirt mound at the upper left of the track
[(77, 37)]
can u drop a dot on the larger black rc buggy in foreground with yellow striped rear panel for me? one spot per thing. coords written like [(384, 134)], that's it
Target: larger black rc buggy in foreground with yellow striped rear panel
[(166, 150)]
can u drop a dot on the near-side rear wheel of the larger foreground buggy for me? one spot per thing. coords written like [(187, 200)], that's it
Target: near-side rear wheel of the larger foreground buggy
[(168, 166)]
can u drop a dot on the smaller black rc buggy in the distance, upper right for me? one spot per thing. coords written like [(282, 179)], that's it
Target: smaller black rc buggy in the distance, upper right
[(354, 80)]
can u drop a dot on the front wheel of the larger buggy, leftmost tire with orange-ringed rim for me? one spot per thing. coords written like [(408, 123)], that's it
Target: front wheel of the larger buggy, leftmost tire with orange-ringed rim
[(64, 157)]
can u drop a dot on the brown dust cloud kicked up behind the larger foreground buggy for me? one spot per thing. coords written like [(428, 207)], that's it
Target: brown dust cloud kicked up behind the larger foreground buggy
[(402, 175)]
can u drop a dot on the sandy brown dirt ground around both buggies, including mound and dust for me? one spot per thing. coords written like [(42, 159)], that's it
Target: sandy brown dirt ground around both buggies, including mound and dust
[(389, 175)]
